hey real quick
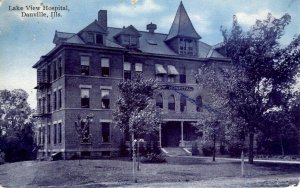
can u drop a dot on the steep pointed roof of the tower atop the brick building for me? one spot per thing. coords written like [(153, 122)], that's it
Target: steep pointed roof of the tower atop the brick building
[(182, 25)]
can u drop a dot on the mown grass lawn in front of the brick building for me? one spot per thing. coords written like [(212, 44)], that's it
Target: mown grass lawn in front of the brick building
[(119, 173)]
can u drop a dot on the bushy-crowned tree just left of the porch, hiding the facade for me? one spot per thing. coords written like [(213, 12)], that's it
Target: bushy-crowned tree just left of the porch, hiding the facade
[(135, 112)]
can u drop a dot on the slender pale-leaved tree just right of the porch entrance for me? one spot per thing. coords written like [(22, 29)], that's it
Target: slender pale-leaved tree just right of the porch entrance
[(217, 81)]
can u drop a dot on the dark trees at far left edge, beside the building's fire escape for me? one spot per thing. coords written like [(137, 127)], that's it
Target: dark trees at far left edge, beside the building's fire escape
[(16, 126)]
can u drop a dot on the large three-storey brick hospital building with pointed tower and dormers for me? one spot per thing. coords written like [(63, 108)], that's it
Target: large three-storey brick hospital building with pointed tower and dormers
[(81, 73)]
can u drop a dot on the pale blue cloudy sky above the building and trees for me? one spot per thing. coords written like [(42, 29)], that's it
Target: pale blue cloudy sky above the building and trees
[(23, 40)]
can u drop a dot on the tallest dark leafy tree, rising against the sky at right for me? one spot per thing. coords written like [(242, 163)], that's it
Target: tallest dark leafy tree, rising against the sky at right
[(268, 69)]
